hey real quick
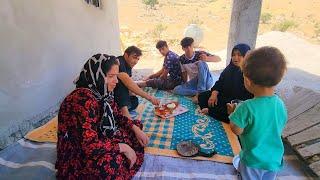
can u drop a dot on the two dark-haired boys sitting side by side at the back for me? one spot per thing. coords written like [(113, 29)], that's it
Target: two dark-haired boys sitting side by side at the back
[(187, 74)]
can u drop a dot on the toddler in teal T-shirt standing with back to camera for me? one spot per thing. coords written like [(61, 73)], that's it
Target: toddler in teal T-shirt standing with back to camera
[(261, 120)]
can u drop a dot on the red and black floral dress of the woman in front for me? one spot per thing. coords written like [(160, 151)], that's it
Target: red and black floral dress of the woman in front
[(82, 151)]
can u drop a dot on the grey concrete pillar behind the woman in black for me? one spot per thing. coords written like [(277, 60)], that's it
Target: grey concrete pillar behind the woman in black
[(244, 23)]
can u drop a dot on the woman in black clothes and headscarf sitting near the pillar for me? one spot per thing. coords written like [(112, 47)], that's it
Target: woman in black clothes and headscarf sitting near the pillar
[(229, 87)]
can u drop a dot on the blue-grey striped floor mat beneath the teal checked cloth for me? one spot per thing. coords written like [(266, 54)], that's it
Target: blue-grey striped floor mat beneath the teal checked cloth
[(30, 160)]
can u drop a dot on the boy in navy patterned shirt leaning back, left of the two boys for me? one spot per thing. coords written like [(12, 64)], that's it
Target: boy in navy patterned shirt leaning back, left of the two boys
[(170, 74)]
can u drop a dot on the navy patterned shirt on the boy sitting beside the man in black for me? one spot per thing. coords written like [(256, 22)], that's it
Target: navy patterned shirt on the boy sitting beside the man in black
[(171, 63)]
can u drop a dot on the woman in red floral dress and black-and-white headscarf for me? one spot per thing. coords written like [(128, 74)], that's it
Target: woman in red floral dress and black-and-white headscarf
[(95, 141)]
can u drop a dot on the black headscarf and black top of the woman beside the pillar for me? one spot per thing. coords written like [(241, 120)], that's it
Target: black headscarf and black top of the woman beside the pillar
[(230, 84)]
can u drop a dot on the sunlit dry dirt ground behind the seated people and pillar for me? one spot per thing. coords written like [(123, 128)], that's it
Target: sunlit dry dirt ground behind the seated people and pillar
[(142, 26)]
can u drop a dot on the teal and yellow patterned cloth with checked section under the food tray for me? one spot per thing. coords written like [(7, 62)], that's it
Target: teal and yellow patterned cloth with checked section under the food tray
[(206, 132)]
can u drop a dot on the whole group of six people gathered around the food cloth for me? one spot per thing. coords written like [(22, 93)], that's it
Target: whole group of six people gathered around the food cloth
[(98, 138)]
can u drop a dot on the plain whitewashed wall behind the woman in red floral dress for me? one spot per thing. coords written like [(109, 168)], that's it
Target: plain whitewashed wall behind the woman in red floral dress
[(43, 45)]
